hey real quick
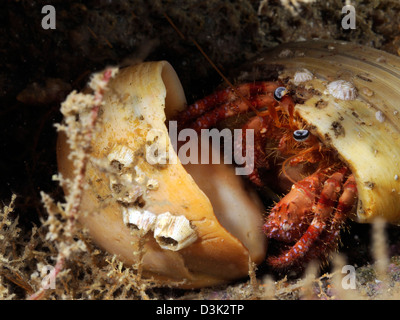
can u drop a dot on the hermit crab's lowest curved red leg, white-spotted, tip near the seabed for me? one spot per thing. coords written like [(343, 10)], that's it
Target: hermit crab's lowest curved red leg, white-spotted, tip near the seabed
[(323, 211)]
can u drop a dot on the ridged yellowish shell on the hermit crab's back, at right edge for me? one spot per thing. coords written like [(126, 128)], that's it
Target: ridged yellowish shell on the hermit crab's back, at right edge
[(354, 106)]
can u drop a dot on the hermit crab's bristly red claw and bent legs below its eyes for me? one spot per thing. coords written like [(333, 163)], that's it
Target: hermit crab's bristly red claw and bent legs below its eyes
[(333, 203)]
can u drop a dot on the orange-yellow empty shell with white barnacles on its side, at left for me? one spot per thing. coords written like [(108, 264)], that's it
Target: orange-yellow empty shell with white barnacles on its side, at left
[(158, 213)]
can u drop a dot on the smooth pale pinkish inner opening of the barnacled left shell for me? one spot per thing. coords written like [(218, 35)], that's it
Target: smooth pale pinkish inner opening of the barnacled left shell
[(236, 206)]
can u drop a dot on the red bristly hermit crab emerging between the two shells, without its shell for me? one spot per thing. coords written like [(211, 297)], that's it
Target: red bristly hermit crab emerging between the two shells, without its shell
[(312, 213)]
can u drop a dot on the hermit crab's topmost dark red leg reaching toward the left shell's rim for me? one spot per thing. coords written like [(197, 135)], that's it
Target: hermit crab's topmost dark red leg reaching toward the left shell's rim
[(241, 92)]
